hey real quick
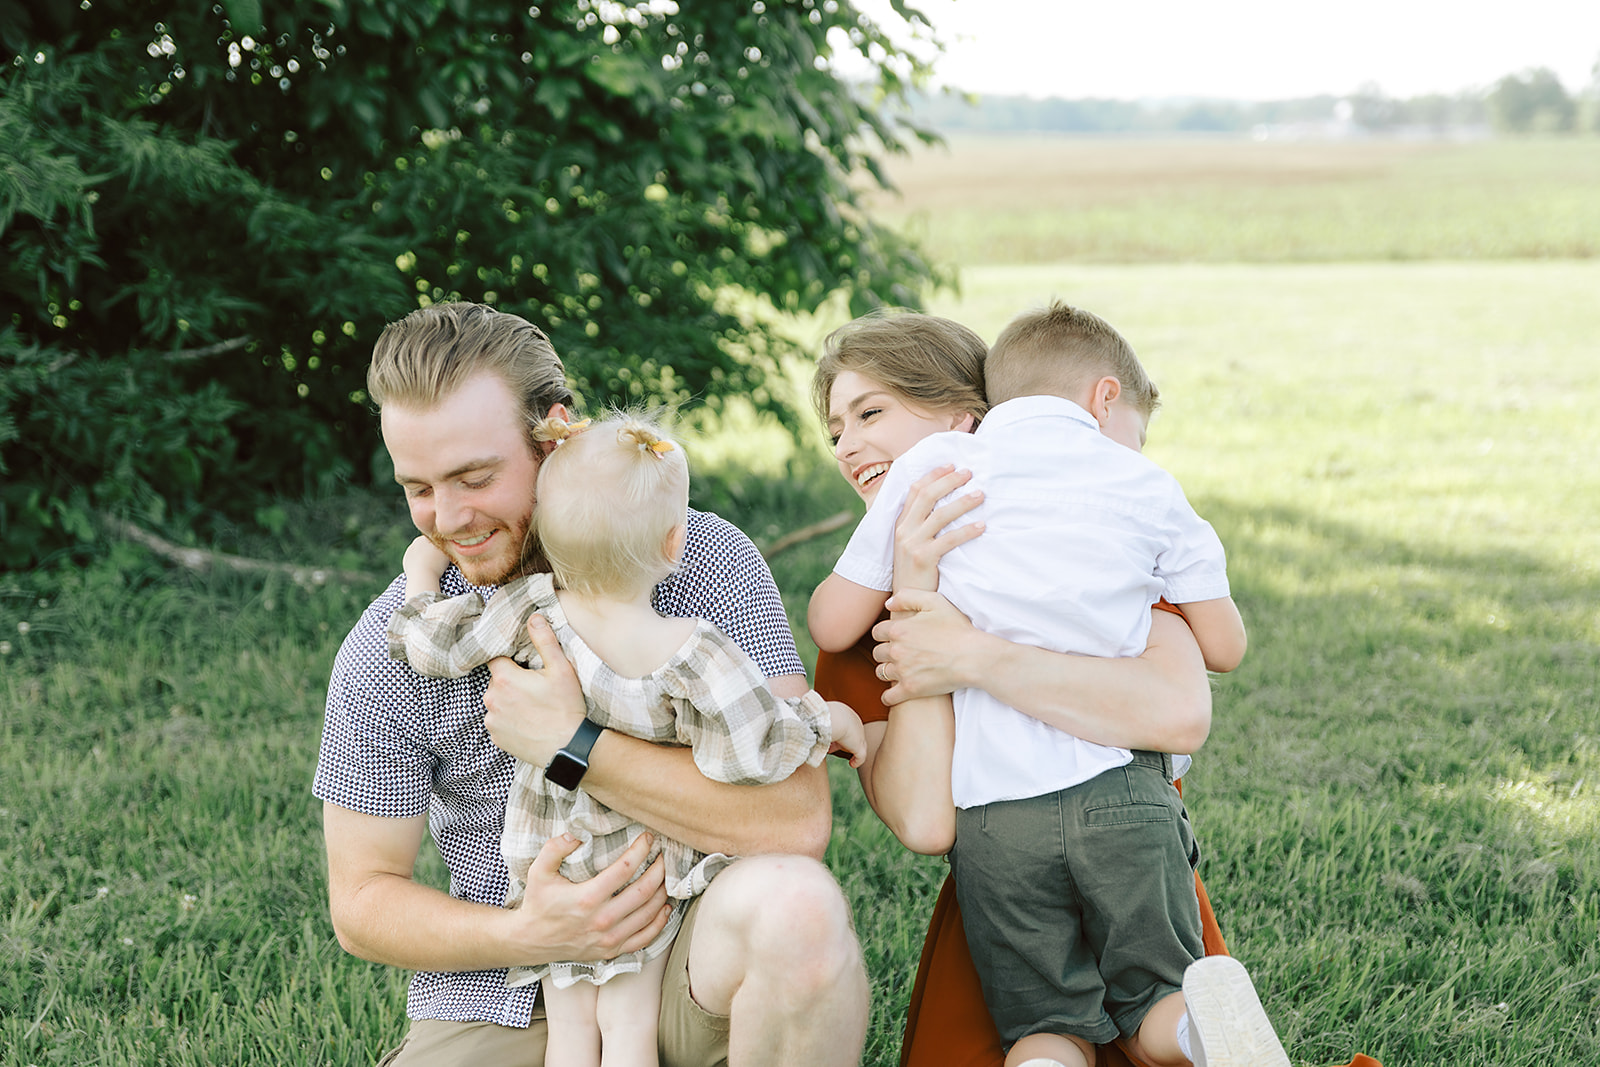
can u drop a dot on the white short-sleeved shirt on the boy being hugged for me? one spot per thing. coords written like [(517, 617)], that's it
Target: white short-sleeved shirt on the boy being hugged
[(1082, 538)]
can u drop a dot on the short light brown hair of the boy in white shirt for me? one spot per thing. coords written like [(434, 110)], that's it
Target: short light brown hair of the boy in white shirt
[(1060, 351)]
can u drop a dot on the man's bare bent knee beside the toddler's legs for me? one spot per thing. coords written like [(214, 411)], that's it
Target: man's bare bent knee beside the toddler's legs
[(766, 970)]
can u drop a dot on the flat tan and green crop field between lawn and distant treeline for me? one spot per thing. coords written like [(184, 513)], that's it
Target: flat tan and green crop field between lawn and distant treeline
[(1014, 201)]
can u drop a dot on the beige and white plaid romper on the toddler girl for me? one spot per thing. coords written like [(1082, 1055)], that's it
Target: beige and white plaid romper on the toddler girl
[(708, 697)]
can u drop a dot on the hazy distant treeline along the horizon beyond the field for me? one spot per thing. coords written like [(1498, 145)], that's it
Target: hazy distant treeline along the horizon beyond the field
[(1534, 102)]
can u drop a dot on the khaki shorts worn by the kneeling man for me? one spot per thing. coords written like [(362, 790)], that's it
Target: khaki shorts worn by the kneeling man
[(689, 1037)]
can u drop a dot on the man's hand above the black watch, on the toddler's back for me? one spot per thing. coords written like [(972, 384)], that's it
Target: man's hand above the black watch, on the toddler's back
[(535, 713)]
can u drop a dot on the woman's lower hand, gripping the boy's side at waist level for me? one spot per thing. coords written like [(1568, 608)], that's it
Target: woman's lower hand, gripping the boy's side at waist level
[(922, 650)]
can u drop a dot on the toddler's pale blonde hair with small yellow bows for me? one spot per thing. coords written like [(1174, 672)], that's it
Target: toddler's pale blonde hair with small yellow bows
[(609, 498)]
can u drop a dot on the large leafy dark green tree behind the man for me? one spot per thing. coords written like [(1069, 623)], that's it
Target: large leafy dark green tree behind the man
[(210, 210)]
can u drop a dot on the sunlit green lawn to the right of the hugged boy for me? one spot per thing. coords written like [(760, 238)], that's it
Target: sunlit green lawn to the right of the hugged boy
[(1401, 797)]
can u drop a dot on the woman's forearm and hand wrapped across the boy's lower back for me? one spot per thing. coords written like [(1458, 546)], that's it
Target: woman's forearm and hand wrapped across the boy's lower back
[(1161, 700)]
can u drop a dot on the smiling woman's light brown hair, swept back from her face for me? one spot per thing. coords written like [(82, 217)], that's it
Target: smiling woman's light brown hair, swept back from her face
[(934, 362)]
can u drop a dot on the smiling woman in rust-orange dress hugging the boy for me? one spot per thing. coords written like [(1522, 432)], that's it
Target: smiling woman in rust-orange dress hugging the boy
[(884, 383)]
